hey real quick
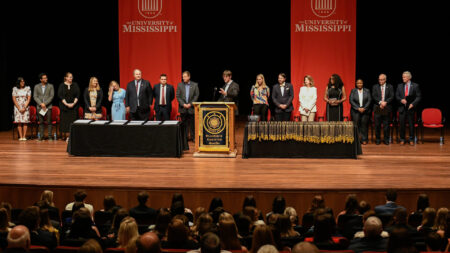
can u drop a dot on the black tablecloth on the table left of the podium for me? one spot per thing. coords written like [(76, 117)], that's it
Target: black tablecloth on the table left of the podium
[(114, 140)]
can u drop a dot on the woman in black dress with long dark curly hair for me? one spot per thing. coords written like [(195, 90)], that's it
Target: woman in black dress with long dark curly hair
[(334, 96)]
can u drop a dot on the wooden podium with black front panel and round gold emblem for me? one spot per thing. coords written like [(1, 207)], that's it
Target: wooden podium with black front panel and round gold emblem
[(214, 129)]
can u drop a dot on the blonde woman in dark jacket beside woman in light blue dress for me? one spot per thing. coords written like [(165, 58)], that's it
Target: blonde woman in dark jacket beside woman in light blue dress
[(93, 96)]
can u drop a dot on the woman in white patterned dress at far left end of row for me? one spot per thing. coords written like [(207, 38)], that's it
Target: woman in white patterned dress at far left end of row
[(21, 96)]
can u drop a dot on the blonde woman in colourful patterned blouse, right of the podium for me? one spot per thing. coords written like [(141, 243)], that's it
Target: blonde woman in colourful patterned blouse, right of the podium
[(260, 93)]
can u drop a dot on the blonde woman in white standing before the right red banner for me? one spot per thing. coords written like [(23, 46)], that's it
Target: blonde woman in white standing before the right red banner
[(308, 99)]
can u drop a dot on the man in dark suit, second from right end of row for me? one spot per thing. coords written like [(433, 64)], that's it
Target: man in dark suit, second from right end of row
[(383, 96)]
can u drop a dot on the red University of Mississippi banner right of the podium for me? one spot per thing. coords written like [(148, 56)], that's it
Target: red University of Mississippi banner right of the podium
[(323, 42)]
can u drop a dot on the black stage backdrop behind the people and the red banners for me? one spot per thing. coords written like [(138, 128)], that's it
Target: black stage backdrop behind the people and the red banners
[(247, 37)]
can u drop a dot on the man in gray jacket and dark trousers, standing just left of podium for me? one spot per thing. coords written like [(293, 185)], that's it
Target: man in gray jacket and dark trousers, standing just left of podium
[(187, 93)]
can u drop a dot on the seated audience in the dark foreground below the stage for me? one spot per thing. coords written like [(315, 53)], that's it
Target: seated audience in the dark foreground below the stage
[(385, 228)]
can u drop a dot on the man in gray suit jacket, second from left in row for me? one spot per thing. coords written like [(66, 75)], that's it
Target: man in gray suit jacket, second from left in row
[(43, 96)]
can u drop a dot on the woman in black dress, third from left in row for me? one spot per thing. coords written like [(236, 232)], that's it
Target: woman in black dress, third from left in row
[(68, 94)]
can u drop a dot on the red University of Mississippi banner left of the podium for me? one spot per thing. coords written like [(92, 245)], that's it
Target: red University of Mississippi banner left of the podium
[(150, 40)]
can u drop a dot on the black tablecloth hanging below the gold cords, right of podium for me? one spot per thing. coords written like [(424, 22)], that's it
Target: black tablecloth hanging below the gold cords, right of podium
[(297, 149)]
